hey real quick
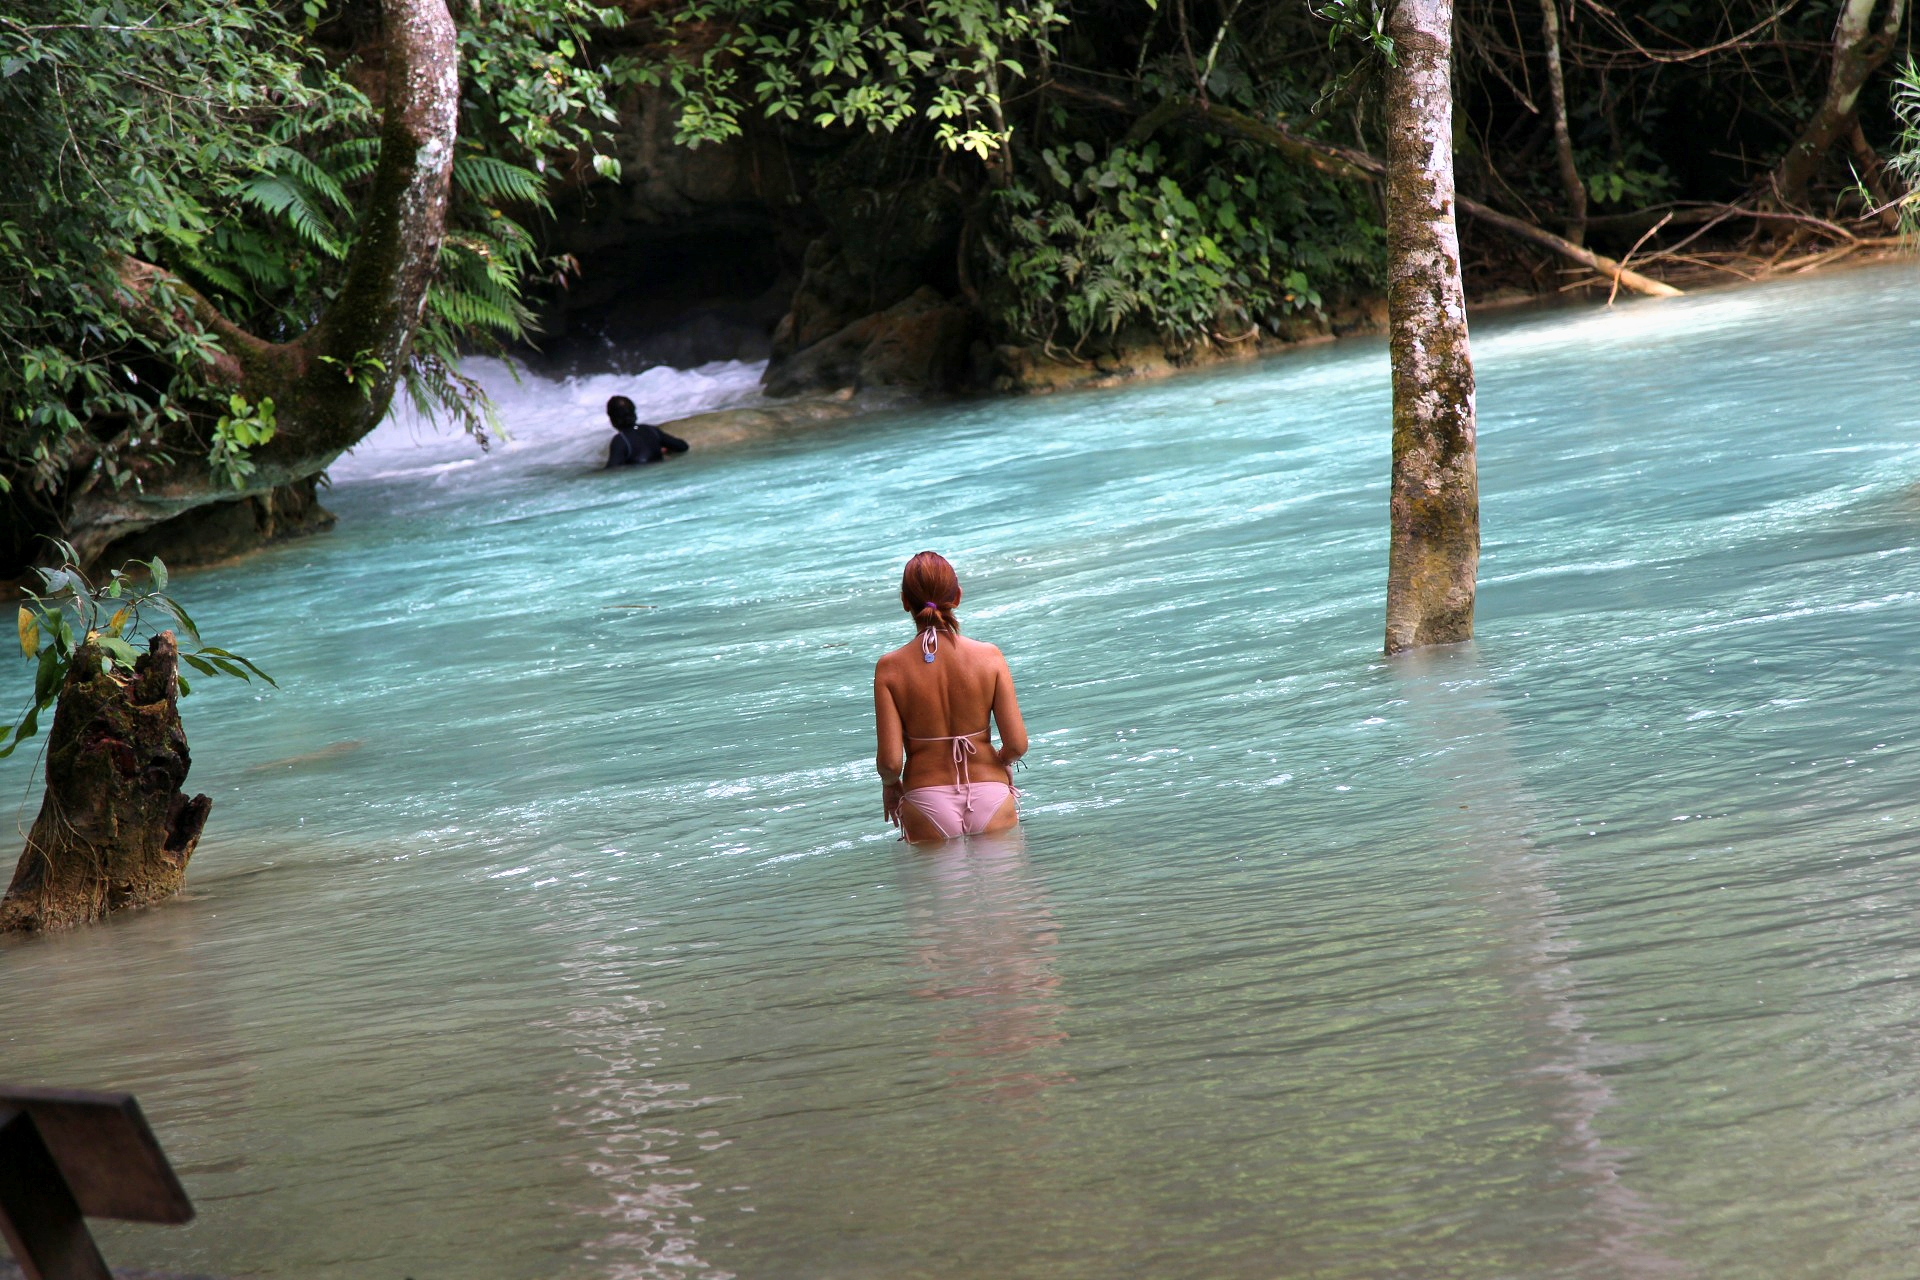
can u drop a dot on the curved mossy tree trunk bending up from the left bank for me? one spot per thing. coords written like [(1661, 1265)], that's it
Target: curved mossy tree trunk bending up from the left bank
[(368, 329)]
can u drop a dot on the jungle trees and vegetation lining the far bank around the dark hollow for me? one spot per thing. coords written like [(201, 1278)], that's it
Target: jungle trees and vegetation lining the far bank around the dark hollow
[(224, 247)]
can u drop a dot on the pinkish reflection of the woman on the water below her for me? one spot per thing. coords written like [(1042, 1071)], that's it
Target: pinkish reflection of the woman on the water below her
[(986, 945)]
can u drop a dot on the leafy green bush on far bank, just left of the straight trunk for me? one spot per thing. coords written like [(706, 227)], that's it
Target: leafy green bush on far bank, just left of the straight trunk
[(1186, 247)]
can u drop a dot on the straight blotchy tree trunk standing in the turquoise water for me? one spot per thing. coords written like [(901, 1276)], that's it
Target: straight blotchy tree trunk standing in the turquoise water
[(1435, 508)]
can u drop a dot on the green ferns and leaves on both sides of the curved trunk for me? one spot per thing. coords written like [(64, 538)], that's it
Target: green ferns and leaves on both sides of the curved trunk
[(228, 141)]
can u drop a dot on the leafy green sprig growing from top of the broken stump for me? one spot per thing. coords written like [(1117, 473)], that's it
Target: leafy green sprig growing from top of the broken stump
[(72, 613)]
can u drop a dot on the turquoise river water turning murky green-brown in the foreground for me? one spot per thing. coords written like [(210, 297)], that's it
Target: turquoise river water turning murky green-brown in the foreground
[(546, 924)]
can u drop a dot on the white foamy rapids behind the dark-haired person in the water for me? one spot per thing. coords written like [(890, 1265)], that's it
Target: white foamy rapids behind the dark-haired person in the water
[(546, 425)]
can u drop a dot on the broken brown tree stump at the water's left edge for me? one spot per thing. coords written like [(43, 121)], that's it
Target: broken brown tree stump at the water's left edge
[(114, 830)]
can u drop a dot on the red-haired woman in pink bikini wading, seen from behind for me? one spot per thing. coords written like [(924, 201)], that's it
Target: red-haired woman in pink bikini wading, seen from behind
[(942, 776)]
